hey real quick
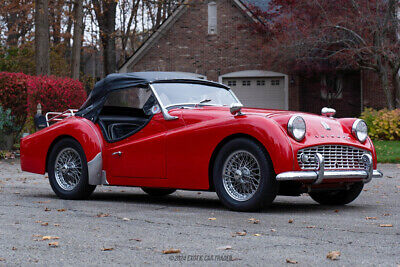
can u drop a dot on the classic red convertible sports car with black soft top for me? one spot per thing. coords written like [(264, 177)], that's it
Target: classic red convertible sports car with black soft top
[(165, 131)]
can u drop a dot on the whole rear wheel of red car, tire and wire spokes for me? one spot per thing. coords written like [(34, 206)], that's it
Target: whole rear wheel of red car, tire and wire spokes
[(68, 171)]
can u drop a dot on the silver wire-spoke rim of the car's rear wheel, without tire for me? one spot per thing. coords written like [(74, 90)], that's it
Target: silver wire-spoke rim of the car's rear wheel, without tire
[(68, 168)]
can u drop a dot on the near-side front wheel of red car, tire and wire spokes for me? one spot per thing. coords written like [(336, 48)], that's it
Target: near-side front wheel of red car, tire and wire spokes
[(243, 176)]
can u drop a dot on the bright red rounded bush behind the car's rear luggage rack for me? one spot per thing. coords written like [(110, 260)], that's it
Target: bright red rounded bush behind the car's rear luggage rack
[(54, 93)]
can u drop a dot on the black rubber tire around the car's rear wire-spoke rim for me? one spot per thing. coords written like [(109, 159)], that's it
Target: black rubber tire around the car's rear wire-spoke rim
[(82, 189)]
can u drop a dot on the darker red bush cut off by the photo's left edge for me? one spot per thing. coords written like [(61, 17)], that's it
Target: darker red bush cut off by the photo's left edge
[(13, 95)]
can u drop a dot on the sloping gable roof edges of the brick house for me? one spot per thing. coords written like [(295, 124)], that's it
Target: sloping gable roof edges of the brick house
[(167, 24)]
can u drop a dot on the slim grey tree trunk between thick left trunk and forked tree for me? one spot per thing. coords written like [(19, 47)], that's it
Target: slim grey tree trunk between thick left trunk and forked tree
[(76, 49)]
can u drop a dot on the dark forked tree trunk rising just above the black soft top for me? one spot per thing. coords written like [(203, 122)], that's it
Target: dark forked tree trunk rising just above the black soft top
[(106, 11)]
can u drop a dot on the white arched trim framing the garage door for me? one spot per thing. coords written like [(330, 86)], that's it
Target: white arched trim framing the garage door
[(260, 73)]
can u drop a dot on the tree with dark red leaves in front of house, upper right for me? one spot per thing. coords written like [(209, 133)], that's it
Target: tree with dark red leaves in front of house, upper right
[(342, 34)]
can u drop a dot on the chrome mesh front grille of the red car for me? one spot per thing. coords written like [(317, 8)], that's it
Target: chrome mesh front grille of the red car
[(335, 157)]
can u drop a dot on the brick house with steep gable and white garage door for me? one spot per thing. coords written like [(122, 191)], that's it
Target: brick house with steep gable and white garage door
[(207, 39)]
